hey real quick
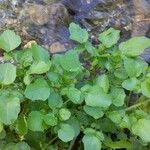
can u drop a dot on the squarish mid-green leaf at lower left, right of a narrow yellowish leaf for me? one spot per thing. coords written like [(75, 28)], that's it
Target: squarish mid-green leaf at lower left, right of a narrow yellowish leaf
[(35, 121)]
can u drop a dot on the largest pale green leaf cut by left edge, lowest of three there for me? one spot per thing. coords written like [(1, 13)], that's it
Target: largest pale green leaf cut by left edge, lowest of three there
[(9, 108)]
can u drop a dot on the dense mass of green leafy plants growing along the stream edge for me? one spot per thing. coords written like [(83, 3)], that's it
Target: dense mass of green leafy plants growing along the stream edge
[(89, 98)]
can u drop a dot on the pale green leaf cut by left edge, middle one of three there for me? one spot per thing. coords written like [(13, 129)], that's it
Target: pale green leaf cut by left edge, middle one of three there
[(7, 73)]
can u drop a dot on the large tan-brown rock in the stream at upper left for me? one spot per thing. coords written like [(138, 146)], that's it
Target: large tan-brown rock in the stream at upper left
[(54, 14)]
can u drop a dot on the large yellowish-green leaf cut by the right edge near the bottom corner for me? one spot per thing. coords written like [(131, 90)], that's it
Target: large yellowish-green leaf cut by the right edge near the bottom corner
[(142, 129)]
